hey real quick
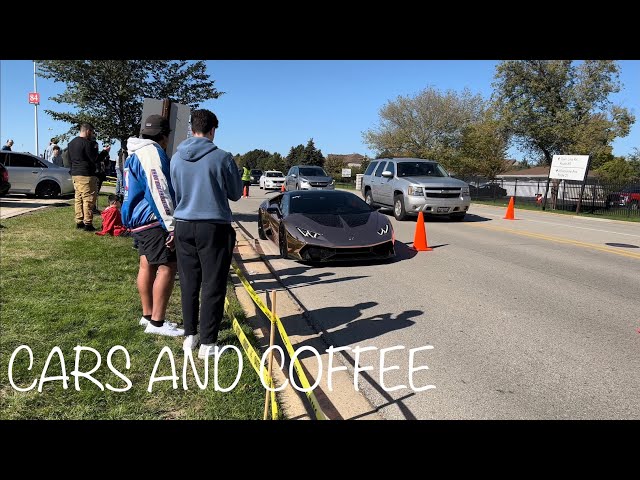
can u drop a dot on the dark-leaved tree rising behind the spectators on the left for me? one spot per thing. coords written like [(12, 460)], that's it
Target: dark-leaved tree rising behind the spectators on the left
[(110, 93)]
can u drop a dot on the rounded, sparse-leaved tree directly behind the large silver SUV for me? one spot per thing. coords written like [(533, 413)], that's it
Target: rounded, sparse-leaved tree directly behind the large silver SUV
[(429, 125)]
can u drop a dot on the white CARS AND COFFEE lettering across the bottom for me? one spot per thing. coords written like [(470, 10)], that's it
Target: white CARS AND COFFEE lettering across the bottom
[(22, 361)]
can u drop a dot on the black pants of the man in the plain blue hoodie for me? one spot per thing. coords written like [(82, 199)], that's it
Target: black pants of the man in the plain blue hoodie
[(204, 255)]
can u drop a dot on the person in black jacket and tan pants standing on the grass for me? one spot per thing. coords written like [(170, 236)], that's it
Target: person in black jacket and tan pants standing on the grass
[(83, 154)]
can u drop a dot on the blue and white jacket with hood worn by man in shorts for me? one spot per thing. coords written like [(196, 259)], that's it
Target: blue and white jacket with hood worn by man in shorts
[(149, 198)]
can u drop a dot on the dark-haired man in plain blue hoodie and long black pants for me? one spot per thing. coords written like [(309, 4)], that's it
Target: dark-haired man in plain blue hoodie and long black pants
[(204, 178)]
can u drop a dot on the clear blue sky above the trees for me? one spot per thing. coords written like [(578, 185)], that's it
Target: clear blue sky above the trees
[(277, 104)]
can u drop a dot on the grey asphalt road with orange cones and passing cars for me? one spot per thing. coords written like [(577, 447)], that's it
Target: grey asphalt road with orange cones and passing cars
[(529, 319)]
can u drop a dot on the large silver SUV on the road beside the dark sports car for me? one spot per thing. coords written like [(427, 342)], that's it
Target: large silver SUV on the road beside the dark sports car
[(411, 185)]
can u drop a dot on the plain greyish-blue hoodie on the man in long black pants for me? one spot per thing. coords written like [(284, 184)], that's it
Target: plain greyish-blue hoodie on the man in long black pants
[(205, 179)]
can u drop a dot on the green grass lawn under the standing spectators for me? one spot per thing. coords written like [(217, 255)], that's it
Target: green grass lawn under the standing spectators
[(66, 287)]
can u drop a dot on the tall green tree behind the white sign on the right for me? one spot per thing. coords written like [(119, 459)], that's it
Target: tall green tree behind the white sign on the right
[(561, 107)]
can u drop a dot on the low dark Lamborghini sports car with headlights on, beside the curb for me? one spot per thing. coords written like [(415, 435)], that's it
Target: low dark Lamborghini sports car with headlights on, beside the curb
[(325, 225)]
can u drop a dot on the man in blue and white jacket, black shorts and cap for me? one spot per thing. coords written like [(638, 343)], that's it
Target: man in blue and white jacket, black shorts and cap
[(147, 210)]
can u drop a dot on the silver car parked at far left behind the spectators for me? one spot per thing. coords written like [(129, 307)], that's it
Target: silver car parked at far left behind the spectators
[(34, 176)]
